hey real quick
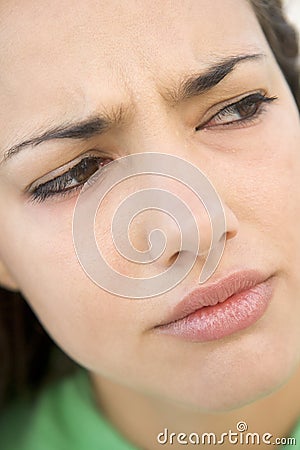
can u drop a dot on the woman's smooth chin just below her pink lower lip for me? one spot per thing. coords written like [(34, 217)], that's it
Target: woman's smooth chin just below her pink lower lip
[(231, 378)]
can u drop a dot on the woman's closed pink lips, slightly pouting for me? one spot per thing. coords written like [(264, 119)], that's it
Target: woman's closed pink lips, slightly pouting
[(220, 309)]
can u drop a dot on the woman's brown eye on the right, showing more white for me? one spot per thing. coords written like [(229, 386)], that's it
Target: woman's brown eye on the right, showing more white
[(239, 113)]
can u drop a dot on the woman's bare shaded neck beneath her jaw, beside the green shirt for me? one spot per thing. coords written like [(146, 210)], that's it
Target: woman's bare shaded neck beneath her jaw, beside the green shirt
[(141, 417)]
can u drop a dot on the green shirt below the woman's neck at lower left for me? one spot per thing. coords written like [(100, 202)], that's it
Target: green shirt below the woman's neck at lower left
[(65, 417)]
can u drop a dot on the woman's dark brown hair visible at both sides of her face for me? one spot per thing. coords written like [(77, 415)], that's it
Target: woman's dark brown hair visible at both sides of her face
[(28, 356)]
